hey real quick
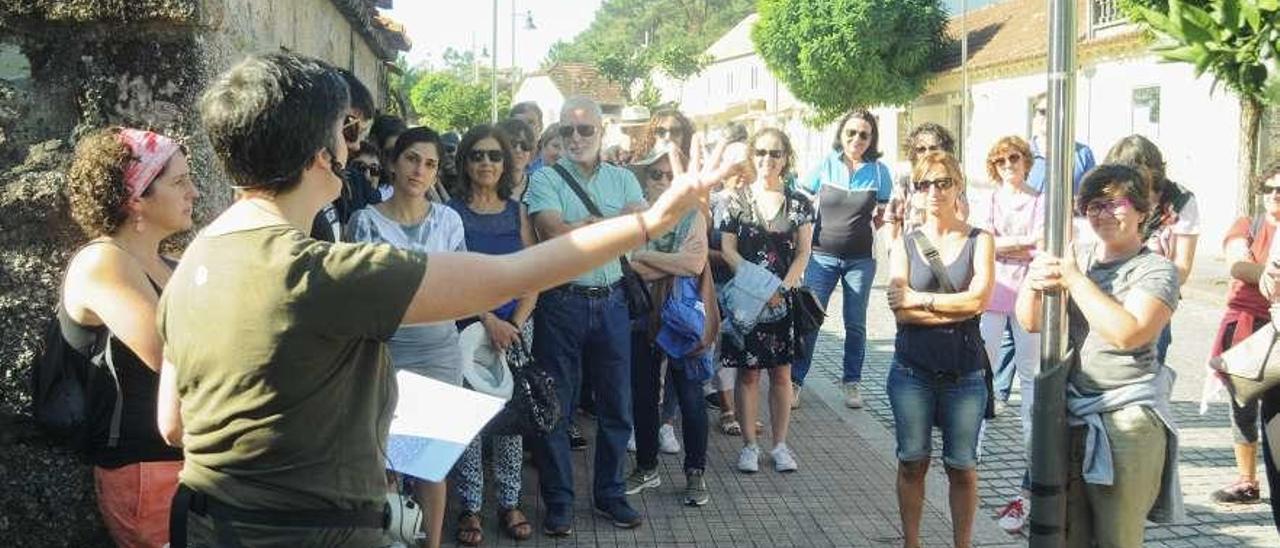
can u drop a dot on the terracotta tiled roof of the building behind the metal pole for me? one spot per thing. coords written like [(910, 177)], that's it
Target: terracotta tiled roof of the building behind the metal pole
[(1013, 31)]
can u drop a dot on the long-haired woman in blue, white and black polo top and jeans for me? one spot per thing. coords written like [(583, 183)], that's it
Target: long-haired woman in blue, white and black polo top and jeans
[(852, 188)]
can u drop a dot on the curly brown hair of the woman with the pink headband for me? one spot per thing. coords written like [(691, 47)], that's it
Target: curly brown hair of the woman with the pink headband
[(97, 193)]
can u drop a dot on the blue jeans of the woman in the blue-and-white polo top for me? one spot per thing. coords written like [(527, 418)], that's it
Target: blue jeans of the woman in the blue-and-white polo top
[(857, 277)]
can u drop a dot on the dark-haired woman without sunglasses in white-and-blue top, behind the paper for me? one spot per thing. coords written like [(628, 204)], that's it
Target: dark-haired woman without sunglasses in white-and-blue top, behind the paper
[(409, 221)]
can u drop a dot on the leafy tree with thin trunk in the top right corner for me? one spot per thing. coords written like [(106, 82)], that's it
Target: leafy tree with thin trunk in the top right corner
[(1237, 42)]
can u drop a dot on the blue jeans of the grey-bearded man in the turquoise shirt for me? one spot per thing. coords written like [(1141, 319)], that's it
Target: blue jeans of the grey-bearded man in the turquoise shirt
[(572, 334)]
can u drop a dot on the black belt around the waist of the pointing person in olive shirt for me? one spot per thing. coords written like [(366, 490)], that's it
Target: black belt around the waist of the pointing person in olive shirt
[(189, 500)]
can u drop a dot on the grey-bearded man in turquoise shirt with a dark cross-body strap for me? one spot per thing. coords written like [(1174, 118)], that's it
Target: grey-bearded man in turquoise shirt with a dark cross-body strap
[(584, 325)]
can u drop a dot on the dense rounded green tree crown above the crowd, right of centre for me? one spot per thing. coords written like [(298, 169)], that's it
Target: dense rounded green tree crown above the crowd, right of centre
[(843, 54)]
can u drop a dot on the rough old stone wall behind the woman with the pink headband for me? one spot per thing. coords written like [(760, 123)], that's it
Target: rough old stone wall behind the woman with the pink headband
[(71, 67)]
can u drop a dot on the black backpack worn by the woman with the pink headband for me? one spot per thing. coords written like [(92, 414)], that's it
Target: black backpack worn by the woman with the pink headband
[(76, 396)]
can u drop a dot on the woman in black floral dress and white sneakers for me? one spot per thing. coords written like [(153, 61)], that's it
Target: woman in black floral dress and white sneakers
[(770, 226)]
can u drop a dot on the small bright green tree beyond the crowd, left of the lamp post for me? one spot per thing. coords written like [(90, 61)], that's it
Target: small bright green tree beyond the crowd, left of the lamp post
[(445, 102)]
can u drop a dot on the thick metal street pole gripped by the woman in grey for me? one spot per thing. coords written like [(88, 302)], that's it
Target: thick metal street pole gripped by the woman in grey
[(1050, 433)]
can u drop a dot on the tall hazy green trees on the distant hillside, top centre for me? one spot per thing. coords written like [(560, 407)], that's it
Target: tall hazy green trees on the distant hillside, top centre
[(632, 38)]
